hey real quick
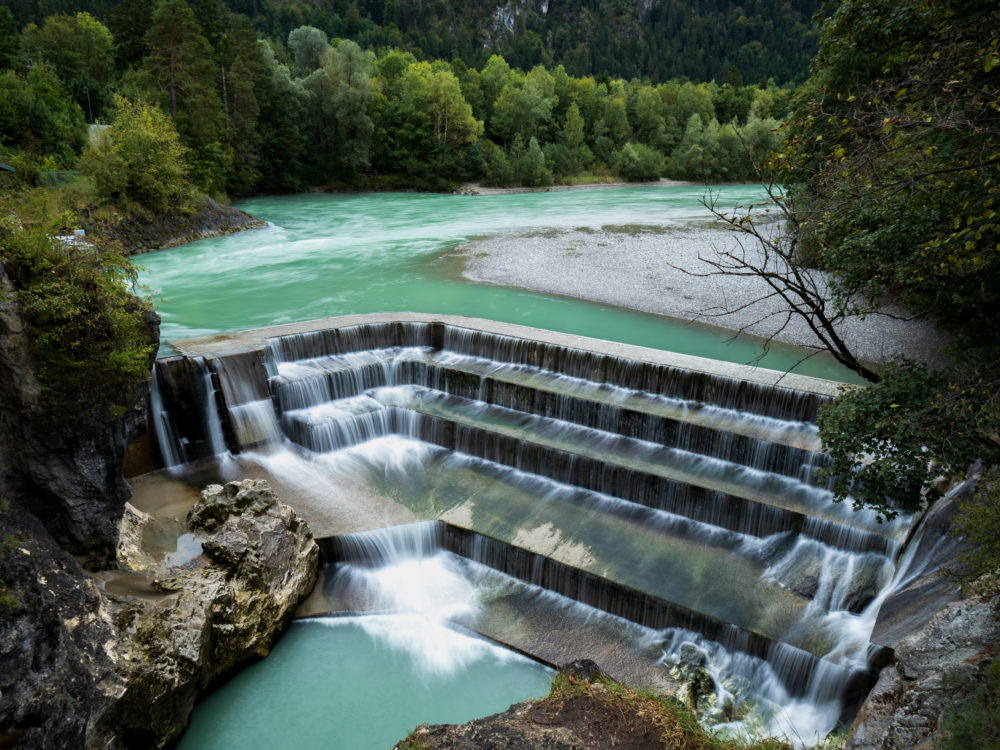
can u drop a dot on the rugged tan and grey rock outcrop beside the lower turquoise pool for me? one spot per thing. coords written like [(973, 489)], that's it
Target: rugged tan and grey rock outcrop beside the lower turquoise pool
[(82, 667)]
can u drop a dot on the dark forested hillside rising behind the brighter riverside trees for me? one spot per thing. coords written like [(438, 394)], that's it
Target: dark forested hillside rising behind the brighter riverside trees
[(725, 40)]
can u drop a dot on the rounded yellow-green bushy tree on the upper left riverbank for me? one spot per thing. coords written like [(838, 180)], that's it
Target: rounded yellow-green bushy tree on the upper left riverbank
[(139, 159)]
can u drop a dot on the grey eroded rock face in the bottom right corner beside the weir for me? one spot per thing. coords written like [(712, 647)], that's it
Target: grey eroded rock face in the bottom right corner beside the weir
[(935, 666)]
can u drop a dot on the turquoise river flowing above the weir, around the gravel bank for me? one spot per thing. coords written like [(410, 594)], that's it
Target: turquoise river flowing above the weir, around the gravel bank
[(323, 255)]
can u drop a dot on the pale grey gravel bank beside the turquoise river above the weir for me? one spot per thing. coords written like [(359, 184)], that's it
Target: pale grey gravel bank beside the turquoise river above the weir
[(634, 268)]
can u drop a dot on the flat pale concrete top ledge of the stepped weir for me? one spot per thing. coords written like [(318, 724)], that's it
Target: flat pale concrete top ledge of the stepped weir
[(254, 340)]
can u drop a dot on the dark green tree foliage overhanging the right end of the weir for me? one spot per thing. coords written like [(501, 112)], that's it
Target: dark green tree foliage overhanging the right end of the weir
[(894, 152)]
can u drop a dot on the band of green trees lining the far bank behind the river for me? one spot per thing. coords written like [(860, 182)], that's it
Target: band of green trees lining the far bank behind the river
[(252, 121)]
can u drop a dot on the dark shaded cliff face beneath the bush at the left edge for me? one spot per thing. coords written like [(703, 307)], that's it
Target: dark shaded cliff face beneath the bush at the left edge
[(69, 477)]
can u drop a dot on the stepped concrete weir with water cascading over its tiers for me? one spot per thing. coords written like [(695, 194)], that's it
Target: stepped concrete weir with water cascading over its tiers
[(642, 500)]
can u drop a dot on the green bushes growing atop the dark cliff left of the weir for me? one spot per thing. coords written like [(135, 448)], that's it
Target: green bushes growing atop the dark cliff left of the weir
[(90, 335)]
